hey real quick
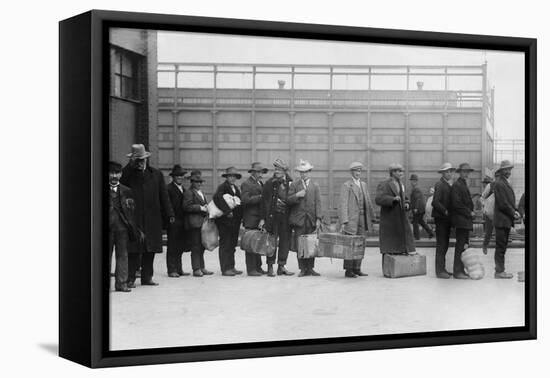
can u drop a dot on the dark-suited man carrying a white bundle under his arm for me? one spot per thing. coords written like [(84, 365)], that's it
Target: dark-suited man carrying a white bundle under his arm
[(229, 223)]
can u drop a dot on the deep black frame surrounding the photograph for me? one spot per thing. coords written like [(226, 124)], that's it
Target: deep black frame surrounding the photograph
[(83, 112)]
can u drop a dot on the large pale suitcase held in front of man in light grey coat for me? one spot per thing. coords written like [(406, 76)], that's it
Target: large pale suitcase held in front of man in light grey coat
[(341, 246)]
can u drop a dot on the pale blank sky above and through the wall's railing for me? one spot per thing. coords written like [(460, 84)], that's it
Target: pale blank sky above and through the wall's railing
[(505, 70)]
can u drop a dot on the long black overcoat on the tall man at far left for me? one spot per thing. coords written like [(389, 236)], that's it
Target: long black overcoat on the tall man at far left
[(153, 208)]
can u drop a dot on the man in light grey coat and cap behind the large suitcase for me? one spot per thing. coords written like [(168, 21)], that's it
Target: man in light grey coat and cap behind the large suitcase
[(355, 213)]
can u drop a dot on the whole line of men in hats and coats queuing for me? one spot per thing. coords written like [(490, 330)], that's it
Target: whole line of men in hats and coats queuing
[(141, 205)]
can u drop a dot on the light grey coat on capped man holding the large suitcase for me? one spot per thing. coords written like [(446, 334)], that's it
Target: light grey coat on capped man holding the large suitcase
[(348, 209)]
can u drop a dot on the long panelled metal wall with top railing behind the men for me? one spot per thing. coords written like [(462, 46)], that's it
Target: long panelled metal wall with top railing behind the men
[(215, 124)]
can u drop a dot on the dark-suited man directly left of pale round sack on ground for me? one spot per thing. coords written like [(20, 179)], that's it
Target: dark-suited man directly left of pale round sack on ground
[(462, 216)]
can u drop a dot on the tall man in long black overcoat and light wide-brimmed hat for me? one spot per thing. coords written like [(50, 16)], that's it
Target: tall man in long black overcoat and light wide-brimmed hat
[(153, 209)]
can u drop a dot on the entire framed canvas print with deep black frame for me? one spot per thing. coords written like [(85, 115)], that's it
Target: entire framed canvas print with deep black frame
[(234, 188)]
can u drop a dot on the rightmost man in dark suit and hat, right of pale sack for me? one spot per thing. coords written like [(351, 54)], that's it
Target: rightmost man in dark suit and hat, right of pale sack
[(505, 214)]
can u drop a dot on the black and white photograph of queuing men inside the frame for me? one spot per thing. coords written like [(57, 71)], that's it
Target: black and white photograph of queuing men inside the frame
[(265, 189)]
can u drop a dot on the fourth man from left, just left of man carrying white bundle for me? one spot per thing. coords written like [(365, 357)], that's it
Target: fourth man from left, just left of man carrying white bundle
[(196, 210)]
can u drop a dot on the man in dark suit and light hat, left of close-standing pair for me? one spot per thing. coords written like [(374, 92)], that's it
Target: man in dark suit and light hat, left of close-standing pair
[(441, 212)]
